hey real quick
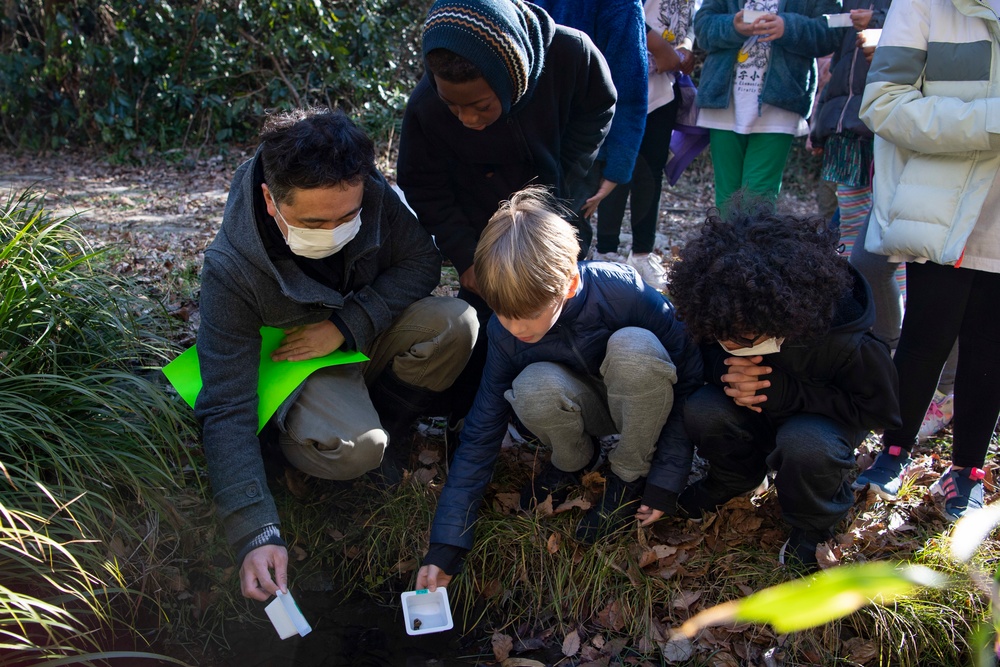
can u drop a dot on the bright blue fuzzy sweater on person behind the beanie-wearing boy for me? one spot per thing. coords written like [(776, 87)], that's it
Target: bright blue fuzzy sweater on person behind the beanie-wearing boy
[(618, 29)]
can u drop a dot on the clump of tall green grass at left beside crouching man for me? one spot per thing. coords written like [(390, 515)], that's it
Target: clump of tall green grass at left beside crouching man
[(91, 448)]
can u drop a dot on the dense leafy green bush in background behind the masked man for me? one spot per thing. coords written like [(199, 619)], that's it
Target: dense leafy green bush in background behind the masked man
[(156, 75)]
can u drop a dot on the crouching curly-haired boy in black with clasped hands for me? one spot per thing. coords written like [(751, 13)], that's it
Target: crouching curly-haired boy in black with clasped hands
[(796, 379)]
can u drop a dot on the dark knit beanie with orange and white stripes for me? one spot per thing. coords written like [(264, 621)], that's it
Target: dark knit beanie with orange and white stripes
[(505, 39)]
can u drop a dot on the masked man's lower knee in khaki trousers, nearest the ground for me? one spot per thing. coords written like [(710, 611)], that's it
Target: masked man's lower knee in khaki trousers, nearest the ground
[(337, 459)]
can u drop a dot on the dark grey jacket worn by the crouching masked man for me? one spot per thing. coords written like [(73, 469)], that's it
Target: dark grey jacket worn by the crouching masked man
[(390, 264)]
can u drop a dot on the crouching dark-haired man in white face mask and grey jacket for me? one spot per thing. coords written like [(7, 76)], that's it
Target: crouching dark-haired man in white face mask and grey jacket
[(315, 242)]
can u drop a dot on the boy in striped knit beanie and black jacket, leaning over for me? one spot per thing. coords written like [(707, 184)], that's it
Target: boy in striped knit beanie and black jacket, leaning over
[(508, 99)]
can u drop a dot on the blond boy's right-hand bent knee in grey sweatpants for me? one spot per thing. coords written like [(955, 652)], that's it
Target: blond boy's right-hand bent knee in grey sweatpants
[(636, 361)]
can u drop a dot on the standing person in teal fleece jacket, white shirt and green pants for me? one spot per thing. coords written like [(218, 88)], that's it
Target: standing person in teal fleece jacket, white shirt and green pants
[(757, 84)]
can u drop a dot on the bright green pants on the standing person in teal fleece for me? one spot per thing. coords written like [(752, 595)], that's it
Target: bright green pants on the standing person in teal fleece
[(752, 161)]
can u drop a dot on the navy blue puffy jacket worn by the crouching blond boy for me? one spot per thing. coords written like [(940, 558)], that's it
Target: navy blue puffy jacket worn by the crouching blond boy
[(612, 297)]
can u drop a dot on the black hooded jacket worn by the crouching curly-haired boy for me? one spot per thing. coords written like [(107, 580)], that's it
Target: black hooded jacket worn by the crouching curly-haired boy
[(848, 375)]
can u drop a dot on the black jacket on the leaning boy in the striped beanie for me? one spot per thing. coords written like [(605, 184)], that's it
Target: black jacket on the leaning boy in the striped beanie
[(454, 177)]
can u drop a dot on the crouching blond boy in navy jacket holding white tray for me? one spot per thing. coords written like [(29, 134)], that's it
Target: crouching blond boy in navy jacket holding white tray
[(576, 351)]
